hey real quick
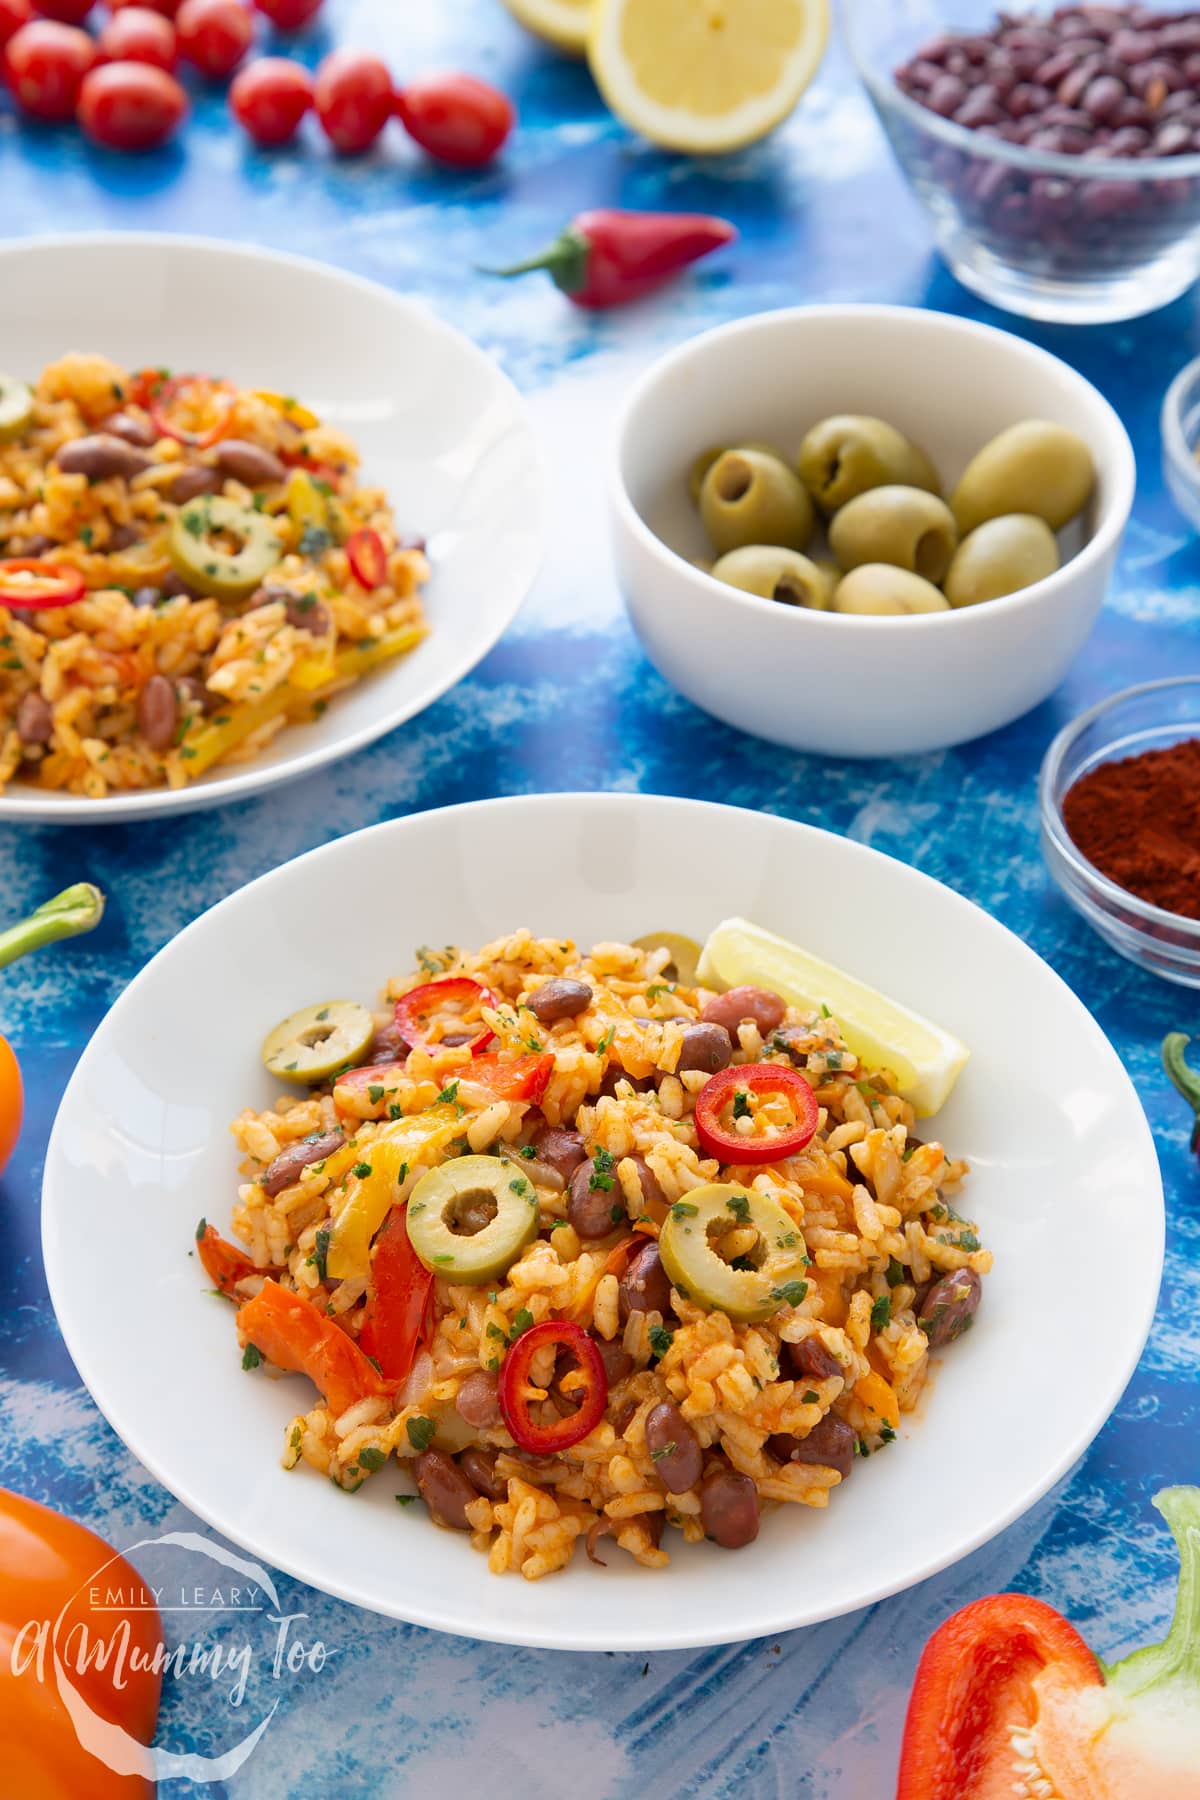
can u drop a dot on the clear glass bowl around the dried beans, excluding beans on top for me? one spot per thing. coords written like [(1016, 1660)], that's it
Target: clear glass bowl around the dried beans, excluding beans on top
[(1071, 238)]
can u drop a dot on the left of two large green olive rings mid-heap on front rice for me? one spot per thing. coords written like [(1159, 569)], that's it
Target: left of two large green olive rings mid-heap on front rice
[(470, 1219)]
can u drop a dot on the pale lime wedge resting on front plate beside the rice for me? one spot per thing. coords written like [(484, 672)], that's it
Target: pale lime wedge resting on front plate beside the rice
[(882, 1034)]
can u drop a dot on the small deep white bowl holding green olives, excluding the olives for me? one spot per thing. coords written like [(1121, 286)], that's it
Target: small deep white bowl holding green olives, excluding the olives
[(832, 683)]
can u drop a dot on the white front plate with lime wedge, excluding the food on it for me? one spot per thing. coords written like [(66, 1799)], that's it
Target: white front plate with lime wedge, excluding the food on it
[(1066, 1187)]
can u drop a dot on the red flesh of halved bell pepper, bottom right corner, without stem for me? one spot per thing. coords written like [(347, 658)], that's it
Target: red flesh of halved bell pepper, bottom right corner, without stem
[(976, 1686)]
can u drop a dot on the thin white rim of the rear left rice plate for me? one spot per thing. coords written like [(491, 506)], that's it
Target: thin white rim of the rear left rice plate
[(255, 778)]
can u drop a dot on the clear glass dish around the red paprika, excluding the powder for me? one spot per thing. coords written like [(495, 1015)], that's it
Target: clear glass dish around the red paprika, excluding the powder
[(1140, 719)]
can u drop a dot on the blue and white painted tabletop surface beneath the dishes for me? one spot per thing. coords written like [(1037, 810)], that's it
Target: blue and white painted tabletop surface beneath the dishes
[(823, 217)]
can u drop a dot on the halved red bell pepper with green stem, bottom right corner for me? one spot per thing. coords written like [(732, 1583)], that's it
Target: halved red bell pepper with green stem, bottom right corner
[(1008, 1700)]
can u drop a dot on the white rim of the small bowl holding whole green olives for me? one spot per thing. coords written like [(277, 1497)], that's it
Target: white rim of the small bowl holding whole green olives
[(807, 620)]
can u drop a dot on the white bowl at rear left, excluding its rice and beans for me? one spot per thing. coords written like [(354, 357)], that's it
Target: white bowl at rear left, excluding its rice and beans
[(438, 426)]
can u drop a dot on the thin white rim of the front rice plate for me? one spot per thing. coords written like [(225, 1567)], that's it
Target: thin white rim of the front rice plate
[(663, 1639)]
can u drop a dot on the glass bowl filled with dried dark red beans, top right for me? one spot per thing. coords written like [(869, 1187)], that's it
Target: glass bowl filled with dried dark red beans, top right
[(1057, 150)]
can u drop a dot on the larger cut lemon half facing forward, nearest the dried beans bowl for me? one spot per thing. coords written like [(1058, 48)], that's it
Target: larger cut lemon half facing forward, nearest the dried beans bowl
[(706, 76)]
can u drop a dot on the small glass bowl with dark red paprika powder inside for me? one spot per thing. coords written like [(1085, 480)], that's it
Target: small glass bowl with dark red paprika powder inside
[(1120, 800)]
